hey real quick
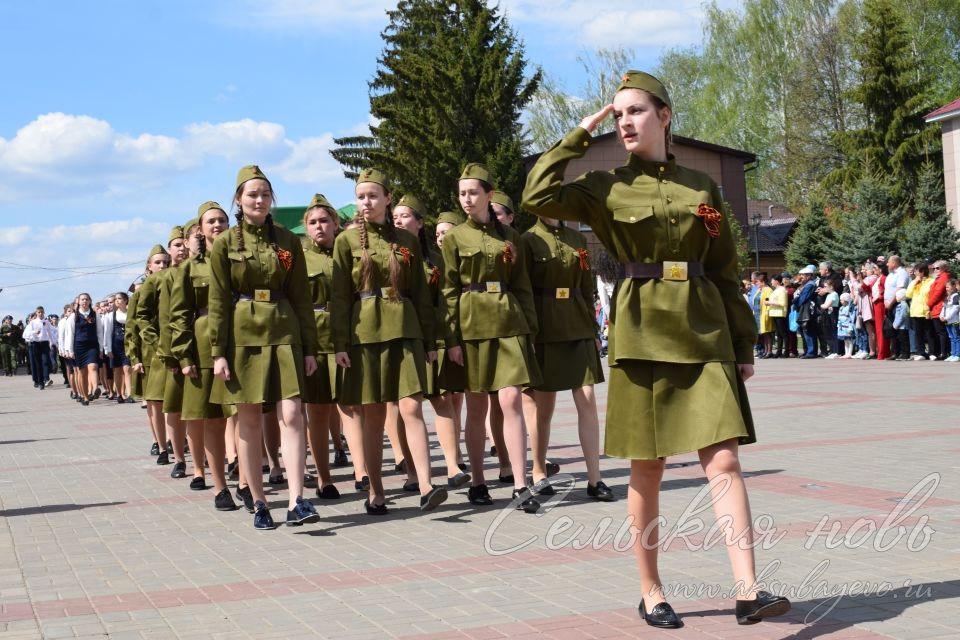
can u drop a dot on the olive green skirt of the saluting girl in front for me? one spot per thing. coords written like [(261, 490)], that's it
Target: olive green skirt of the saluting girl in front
[(659, 409)]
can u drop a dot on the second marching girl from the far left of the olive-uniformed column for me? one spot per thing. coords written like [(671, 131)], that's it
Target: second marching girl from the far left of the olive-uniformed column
[(154, 335)]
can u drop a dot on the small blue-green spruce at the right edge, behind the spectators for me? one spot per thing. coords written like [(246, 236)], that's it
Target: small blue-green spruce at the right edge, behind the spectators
[(930, 233)]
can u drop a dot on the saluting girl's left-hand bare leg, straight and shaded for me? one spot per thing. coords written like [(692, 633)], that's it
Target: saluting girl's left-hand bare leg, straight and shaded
[(643, 507)]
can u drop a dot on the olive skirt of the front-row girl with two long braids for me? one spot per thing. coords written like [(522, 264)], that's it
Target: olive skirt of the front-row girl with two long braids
[(384, 372)]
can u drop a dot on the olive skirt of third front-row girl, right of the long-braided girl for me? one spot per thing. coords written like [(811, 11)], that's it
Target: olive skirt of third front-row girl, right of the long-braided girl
[(498, 363)]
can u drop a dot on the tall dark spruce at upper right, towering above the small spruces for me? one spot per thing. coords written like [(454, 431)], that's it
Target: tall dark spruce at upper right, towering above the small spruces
[(894, 140)]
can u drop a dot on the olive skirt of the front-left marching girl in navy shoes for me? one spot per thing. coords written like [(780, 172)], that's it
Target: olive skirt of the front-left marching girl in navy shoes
[(260, 374)]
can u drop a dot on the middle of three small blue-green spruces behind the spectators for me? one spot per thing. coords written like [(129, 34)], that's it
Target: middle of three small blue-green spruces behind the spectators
[(872, 226)]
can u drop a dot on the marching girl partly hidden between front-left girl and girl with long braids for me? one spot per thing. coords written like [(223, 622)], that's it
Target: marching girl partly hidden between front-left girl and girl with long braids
[(320, 391)]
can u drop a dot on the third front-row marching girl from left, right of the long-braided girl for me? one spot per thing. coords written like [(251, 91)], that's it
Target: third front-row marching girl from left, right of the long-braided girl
[(490, 313)]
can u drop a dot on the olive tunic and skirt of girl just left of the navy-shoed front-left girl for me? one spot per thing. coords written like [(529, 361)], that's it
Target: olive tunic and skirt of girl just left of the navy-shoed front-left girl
[(190, 339)]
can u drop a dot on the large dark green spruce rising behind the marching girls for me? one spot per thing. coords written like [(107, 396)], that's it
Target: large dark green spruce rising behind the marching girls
[(450, 87)]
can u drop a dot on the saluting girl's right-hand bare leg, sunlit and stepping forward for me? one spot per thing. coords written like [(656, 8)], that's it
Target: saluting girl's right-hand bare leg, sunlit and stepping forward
[(721, 464)]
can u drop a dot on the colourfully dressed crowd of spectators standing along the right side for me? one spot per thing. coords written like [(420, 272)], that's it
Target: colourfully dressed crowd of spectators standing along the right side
[(881, 310)]
